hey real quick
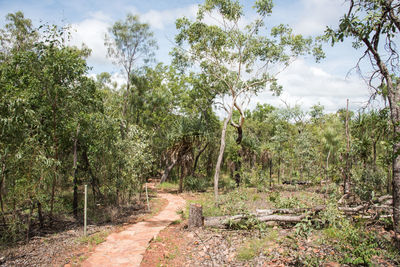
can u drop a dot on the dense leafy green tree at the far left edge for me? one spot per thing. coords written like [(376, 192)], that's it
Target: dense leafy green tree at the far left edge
[(44, 92)]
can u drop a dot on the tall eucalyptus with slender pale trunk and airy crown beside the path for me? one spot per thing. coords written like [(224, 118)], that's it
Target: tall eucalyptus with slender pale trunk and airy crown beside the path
[(236, 57)]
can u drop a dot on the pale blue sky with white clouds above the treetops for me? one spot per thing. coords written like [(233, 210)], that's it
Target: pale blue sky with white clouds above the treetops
[(304, 82)]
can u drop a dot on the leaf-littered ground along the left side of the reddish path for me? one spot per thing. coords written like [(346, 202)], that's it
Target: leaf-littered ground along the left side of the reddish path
[(64, 242)]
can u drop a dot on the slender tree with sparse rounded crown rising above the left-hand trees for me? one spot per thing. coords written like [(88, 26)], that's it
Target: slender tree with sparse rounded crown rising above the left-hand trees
[(128, 42)]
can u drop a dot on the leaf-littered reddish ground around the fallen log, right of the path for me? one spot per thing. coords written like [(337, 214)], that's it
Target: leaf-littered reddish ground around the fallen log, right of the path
[(275, 244)]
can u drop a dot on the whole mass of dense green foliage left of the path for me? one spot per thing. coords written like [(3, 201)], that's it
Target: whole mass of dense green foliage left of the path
[(47, 104)]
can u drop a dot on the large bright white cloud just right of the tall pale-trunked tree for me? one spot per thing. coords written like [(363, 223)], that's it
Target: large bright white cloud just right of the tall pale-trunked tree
[(309, 85)]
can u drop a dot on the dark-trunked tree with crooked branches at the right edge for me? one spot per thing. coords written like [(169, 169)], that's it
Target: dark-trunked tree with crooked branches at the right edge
[(374, 26)]
